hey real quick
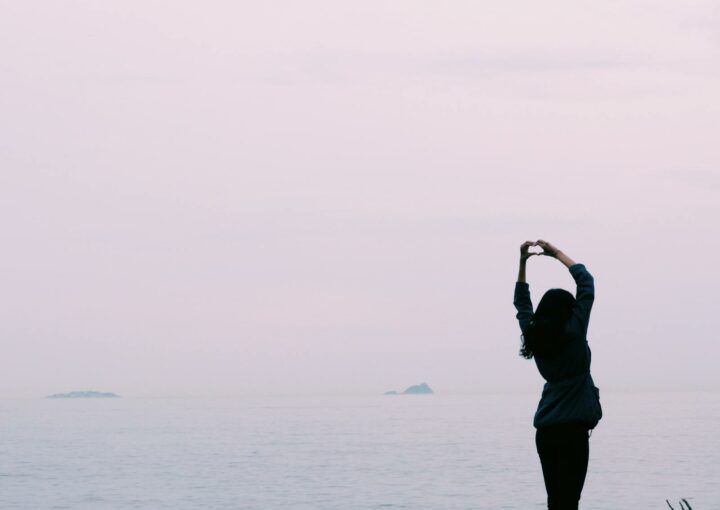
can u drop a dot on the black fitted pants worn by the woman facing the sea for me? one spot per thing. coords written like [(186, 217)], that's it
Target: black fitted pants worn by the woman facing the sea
[(563, 451)]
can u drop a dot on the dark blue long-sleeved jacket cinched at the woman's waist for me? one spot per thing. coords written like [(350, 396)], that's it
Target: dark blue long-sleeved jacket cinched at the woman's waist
[(569, 394)]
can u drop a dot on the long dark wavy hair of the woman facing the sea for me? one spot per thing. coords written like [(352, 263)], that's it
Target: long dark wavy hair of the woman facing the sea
[(546, 333)]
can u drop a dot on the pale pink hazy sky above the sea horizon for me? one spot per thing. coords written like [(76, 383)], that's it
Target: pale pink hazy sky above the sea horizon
[(255, 198)]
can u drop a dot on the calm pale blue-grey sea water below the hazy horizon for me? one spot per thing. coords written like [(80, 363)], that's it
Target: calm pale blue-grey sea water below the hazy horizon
[(381, 452)]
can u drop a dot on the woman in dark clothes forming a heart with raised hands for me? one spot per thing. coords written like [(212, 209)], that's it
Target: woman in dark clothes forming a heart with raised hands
[(555, 335)]
